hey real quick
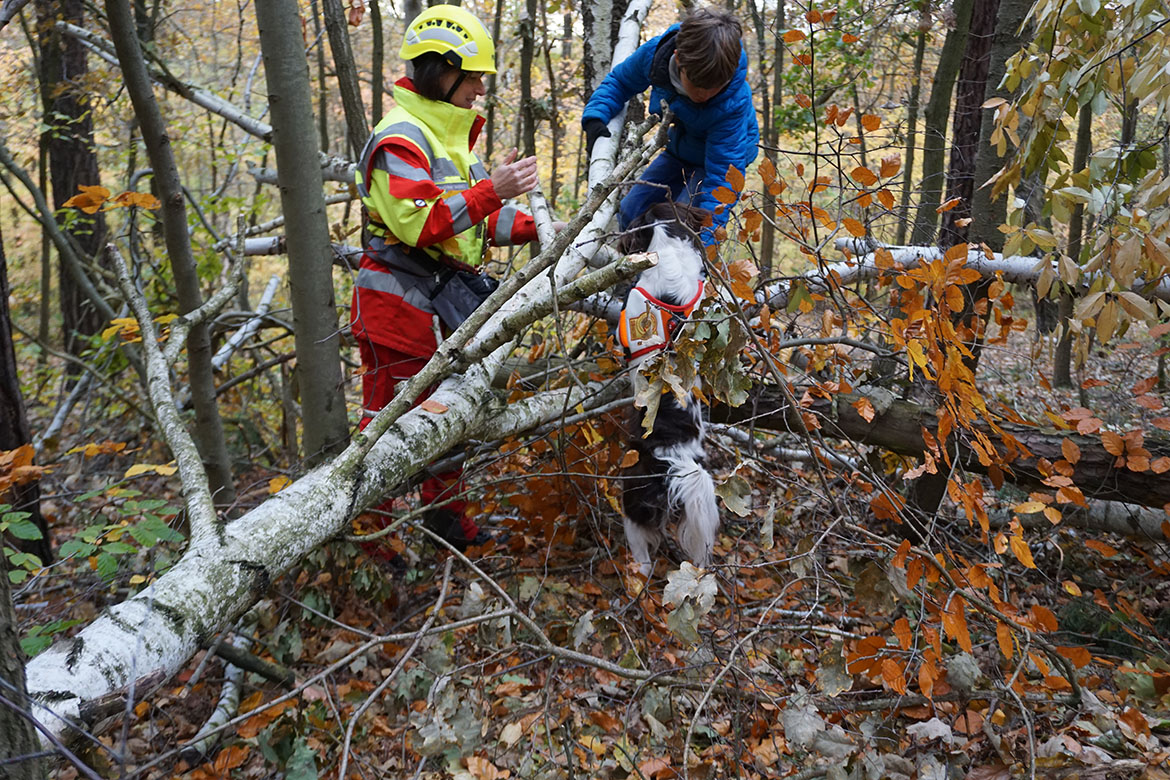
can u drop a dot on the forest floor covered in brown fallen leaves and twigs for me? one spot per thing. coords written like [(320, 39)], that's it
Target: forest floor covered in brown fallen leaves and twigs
[(806, 652)]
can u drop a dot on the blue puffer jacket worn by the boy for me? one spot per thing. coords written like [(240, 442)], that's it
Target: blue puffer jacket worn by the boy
[(713, 136)]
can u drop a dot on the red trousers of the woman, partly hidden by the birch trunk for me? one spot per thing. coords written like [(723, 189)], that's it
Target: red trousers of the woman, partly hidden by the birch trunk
[(386, 368)]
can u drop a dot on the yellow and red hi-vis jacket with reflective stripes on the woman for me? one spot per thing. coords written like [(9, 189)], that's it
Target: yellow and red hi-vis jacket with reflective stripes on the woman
[(431, 206)]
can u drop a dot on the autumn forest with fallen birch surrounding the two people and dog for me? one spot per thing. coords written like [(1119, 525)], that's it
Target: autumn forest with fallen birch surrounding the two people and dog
[(933, 360)]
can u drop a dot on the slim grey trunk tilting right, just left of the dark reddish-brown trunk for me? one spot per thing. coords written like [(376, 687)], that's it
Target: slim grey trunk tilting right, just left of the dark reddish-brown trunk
[(934, 129)]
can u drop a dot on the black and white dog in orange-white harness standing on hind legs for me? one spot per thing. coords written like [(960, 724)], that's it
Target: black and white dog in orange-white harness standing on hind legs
[(670, 480)]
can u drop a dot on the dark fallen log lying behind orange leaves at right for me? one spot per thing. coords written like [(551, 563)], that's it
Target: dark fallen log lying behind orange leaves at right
[(898, 426)]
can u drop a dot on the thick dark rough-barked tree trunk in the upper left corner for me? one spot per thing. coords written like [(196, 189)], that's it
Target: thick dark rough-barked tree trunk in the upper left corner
[(73, 162)]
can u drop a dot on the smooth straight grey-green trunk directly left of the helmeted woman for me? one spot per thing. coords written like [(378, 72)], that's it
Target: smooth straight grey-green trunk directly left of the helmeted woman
[(304, 204)]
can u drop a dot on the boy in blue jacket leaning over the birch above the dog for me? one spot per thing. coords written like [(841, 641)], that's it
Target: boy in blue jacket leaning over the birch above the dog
[(701, 71)]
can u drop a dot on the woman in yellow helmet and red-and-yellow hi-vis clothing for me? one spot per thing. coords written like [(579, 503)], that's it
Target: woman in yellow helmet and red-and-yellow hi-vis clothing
[(432, 212)]
